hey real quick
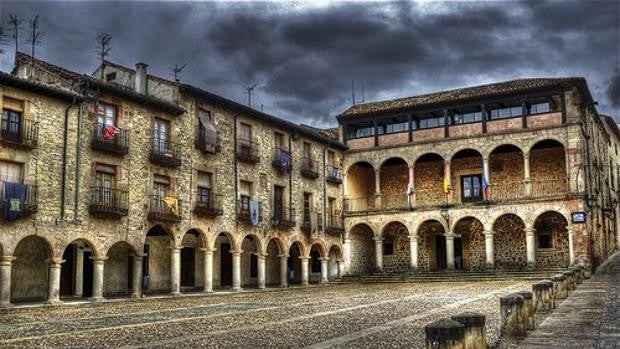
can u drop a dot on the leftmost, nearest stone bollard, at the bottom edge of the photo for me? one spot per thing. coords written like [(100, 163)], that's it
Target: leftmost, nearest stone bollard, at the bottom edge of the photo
[(444, 334)]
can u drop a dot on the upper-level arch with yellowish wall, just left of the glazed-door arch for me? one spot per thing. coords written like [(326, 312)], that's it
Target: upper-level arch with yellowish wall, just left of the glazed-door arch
[(428, 180)]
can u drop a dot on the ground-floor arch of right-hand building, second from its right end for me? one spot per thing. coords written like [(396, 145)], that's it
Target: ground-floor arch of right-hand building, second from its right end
[(510, 248)]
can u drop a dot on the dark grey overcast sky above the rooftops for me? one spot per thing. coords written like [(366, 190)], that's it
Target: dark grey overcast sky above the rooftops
[(303, 55)]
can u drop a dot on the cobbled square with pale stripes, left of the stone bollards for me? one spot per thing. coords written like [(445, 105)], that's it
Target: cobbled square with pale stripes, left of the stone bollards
[(343, 316)]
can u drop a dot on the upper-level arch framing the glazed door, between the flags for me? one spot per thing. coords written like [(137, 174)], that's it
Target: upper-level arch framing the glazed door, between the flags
[(466, 176)]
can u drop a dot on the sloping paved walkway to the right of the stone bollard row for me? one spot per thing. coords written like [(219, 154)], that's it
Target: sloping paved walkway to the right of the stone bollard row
[(589, 318)]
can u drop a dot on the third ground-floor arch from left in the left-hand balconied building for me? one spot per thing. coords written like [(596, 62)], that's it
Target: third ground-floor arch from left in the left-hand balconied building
[(118, 270)]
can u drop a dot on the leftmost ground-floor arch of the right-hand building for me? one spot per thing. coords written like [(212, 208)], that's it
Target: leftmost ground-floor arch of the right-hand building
[(362, 250)]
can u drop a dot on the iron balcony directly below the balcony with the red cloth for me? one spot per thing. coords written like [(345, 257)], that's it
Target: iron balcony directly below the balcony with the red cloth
[(108, 202)]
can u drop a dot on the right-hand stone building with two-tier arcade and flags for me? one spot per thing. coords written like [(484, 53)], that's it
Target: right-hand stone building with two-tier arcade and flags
[(498, 176)]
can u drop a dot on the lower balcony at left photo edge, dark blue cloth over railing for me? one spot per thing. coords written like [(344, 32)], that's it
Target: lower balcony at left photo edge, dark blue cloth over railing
[(17, 200)]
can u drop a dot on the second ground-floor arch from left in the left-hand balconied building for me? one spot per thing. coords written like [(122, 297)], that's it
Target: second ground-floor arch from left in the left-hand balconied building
[(77, 270)]
